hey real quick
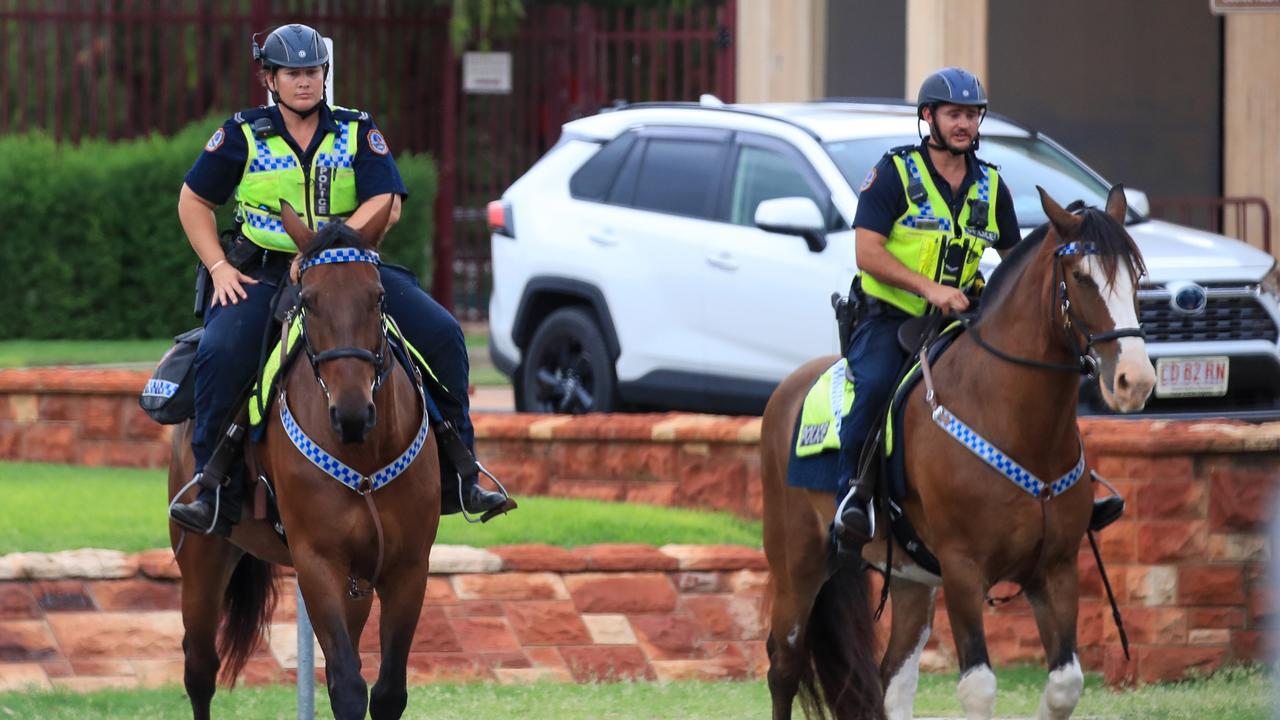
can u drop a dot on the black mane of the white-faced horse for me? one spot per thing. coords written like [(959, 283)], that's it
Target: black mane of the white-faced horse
[(1108, 236)]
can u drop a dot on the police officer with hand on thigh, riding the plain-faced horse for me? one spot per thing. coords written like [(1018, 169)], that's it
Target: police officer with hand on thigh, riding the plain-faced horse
[(332, 165)]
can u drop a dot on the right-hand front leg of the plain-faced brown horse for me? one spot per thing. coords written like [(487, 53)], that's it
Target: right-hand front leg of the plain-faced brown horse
[(403, 604)]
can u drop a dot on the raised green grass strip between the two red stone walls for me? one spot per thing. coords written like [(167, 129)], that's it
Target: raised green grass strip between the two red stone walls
[(51, 508)]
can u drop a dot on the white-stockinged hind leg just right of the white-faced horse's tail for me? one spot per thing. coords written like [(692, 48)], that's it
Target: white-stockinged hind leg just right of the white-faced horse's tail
[(900, 669)]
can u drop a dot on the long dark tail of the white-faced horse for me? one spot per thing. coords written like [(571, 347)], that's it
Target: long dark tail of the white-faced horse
[(842, 641)]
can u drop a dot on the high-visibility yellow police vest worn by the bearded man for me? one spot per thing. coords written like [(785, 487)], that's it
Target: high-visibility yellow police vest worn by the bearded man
[(927, 236)]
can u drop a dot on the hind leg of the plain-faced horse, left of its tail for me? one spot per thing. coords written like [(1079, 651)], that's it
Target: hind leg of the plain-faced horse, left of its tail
[(207, 566)]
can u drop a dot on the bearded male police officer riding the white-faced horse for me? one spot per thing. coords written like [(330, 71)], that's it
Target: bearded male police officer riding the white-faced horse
[(925, 216)]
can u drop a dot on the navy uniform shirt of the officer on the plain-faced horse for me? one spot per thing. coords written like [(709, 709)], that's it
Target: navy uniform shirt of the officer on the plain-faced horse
[(221, 166)]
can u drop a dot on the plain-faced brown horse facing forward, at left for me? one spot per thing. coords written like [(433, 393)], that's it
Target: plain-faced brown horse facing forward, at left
[(355, 403)]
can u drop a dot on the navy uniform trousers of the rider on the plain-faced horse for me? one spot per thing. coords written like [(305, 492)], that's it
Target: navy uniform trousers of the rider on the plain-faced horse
[(228, 354)]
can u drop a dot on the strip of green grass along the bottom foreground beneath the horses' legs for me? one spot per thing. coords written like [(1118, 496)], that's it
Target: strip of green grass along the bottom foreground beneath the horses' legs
[(1233, 695)]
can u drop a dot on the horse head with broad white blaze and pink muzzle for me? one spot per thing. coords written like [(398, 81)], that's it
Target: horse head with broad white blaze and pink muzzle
[(1096, 285)]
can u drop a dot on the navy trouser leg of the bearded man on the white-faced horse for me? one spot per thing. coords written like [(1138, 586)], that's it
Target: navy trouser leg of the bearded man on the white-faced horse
[(875, 361)]
